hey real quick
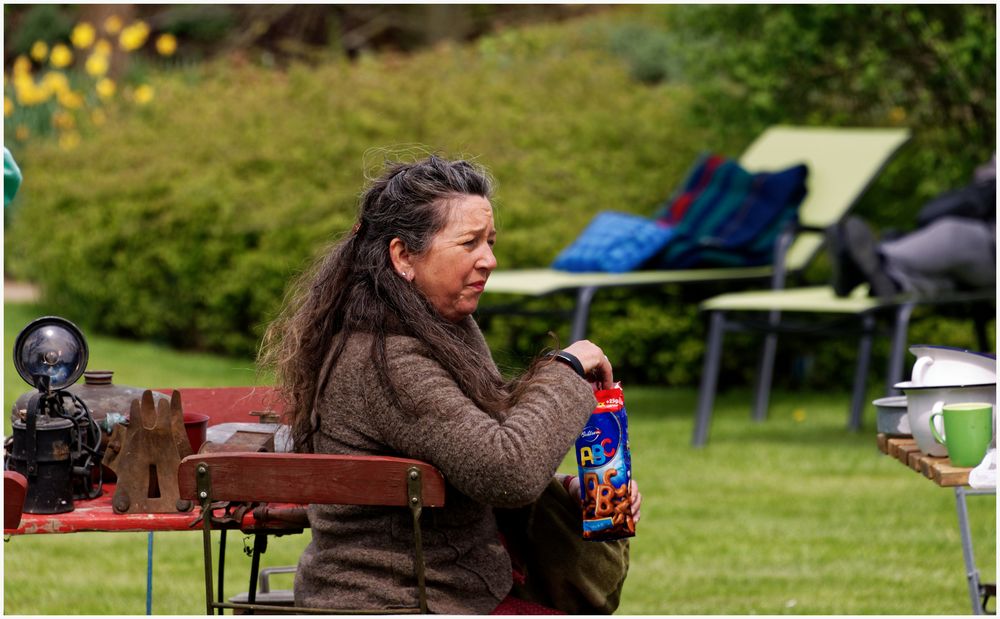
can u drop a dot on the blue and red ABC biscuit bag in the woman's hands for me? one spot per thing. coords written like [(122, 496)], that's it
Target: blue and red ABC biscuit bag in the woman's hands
[(605, 464)]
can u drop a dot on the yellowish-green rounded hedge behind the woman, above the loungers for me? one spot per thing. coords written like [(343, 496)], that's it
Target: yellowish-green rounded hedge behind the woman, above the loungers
[(184, 221)]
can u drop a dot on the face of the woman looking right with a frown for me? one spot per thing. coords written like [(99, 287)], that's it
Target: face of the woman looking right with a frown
[(453, 271)]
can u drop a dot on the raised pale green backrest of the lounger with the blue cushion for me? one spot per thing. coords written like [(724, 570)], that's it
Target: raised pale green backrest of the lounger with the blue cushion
[(842, 163)]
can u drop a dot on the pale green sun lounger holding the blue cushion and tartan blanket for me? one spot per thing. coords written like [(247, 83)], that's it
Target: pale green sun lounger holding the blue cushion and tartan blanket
[(842, 163)]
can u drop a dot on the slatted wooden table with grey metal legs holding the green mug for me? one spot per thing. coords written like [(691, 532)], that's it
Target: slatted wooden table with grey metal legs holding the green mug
[(943, 473)]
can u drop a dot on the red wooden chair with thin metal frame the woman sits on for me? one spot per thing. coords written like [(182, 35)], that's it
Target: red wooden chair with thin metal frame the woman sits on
[(304, 479)]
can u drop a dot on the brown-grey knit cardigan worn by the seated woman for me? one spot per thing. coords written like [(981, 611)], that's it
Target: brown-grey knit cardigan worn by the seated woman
[(362, 557)]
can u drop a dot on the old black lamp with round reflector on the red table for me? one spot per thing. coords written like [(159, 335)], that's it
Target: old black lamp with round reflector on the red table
[(55, 443)]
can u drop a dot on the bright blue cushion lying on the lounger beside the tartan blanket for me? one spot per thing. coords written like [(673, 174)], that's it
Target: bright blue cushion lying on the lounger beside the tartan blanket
[(614, 243)]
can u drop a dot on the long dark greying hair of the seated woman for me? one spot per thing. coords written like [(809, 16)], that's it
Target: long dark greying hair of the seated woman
[(354, 288)]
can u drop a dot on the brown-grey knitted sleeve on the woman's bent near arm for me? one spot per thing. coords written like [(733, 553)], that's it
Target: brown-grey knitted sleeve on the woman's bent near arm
[(500, 463)]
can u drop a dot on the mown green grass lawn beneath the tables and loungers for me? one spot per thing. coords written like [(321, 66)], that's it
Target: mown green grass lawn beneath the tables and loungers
[(792, 516)]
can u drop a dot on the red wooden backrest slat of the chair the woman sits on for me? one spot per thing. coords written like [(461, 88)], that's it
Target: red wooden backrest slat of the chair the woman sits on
[(310, 478)]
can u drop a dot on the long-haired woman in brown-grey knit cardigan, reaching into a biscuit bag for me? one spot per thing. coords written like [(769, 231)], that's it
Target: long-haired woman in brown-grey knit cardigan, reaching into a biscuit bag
[(377, 353)]
